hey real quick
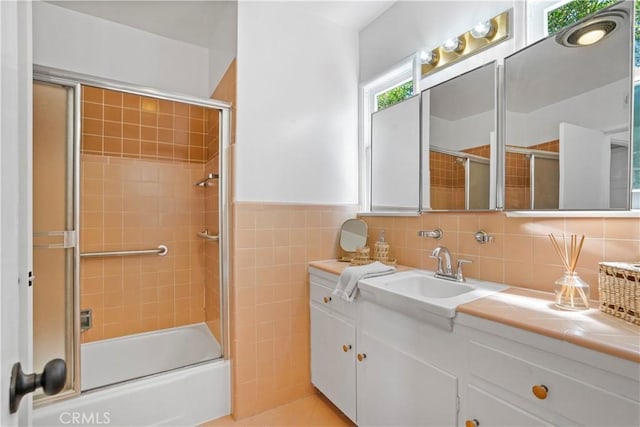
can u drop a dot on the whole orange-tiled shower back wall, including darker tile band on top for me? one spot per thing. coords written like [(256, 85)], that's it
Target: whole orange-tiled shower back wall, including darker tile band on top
[(140, 158)]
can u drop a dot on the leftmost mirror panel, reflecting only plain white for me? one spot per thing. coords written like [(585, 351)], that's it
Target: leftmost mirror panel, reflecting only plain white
[(395, 157)]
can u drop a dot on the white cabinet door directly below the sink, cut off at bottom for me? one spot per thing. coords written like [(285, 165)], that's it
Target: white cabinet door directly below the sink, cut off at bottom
[(397, 389)]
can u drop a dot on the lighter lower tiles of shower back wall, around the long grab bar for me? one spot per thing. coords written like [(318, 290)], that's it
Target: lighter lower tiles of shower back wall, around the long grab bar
[(139, 204)]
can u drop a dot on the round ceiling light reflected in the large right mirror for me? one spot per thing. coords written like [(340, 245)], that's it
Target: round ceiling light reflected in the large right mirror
[(590, 31)]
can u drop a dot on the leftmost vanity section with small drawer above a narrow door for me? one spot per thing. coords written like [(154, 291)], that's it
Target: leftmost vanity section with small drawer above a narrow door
[(333, 343)]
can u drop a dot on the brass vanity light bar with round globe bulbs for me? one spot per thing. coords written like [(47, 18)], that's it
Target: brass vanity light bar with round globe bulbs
[(483, 35)]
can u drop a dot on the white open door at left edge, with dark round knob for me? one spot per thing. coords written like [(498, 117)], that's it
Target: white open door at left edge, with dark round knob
[(15, 203)]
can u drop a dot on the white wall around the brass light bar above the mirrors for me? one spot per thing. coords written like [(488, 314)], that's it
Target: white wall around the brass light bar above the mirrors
[(410, 26)]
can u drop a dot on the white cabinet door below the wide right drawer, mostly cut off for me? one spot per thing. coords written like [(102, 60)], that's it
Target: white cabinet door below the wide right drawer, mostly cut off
[(483, 409)]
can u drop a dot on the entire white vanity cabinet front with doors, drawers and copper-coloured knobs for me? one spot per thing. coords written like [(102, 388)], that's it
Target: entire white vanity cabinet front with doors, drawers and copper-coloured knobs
[(382, 364)]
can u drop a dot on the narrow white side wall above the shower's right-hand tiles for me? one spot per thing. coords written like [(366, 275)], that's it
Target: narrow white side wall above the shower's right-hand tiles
[(222, 43)]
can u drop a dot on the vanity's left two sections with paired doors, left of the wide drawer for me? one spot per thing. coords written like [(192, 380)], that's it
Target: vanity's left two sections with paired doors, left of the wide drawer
[(364, 358)]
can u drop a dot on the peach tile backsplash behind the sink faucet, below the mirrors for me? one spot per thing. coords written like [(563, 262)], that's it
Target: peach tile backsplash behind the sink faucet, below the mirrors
[(521, 254)]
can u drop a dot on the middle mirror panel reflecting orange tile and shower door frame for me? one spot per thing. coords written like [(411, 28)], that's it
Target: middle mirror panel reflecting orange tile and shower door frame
[(459, 142)]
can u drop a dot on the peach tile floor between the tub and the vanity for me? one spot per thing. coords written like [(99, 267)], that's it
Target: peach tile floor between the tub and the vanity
[(314, 410)]
